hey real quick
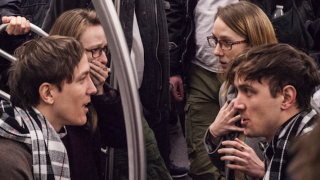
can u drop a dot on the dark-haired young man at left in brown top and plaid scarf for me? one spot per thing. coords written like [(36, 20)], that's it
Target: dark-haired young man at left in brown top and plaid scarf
[(50, 88)]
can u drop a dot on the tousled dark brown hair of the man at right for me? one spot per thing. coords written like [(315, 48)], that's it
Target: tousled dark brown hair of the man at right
[(282, 65)]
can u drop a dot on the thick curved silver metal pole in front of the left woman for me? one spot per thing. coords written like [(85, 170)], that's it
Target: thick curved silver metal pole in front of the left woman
[(127, 86)]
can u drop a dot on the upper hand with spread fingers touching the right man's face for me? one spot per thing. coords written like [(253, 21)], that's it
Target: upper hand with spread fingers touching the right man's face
[(225, 121)]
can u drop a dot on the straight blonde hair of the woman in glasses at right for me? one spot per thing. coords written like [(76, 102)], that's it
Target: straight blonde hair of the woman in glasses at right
[(249, 21)]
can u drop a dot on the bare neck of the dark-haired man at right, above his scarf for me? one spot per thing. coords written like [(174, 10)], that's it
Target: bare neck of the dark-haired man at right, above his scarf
[(285, 115)]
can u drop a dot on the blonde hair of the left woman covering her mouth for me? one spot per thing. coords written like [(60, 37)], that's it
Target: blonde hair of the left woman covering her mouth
[(73, 23)]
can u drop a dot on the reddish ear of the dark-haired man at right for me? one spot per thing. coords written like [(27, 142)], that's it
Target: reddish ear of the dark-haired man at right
[(289, 97)]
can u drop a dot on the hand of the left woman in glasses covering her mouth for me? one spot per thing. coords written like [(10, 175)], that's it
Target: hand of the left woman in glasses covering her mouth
[(98, 74)]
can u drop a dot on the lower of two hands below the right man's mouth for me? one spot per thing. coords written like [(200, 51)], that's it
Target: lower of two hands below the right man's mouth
[(243, 157)]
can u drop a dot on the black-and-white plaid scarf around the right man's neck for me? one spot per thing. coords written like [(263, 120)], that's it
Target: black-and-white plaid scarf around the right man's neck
[(276, 152)]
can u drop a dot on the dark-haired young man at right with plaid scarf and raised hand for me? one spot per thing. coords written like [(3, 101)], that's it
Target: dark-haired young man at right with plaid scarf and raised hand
[(274, 85)]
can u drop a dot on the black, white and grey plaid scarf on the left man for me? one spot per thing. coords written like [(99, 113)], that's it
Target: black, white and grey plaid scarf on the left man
[(50, 160)]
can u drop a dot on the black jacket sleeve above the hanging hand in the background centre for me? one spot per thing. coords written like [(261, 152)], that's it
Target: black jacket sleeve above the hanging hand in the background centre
[(180, 22)]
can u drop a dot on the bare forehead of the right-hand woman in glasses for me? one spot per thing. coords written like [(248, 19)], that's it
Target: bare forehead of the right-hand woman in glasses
[(222, 31)]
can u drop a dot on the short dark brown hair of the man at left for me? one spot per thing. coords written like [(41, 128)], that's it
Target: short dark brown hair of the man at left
[(49, 59)]
